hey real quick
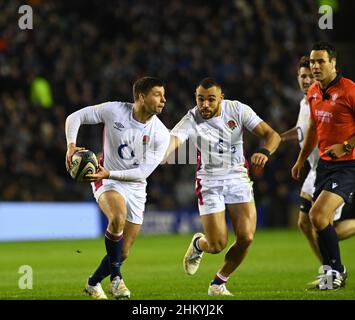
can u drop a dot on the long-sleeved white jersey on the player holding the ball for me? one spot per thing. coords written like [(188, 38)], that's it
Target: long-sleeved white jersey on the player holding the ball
[(131, 149)]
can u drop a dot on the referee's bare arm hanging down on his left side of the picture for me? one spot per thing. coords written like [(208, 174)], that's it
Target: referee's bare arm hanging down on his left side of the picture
[(309, 144)]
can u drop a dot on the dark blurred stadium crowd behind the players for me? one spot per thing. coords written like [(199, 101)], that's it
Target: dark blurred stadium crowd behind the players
[(82, 53)]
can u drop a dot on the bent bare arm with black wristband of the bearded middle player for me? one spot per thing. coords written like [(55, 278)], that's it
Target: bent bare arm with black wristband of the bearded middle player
[(272, 140)]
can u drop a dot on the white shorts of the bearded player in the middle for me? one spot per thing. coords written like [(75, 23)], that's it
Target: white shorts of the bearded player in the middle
[(214, 194)]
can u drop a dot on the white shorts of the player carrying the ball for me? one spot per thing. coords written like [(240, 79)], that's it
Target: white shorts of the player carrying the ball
[(134, 196)]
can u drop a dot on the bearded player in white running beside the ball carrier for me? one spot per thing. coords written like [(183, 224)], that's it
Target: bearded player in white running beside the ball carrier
[(216, 126)]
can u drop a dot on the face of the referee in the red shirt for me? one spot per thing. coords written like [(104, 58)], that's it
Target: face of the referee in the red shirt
[(321, 66)]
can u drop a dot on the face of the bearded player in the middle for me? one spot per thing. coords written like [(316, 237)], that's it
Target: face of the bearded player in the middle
[(209, 101)]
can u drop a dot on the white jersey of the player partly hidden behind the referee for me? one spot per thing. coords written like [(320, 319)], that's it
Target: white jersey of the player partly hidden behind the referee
[(302, 128)]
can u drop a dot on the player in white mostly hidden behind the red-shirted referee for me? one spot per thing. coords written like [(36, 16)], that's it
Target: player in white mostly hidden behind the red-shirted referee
[(344, 228)]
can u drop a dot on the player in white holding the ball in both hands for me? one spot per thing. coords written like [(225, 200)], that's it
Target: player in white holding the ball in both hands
[(134, 143)]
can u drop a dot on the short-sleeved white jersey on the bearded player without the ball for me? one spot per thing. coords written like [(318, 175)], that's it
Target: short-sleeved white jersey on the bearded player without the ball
[(219, 140)]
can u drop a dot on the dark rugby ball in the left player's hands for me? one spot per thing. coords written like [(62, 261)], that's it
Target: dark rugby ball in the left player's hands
[(83, 162)]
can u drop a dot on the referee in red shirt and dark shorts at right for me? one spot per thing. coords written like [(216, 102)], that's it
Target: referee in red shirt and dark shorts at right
[(332, 127)]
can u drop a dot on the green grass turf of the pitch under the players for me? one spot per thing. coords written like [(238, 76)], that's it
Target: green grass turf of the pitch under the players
[(277, 267)]
